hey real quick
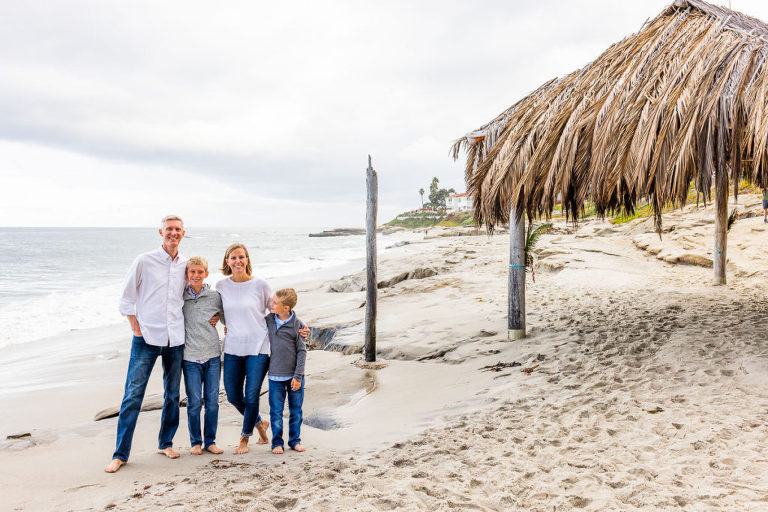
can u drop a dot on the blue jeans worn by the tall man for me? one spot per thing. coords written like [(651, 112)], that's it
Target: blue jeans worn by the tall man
[(143, 357)]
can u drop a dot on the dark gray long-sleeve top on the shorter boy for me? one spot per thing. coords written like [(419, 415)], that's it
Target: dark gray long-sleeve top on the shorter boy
[(289, 352)]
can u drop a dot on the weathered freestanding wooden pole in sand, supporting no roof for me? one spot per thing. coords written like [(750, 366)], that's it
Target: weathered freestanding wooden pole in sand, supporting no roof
[(372, 184)]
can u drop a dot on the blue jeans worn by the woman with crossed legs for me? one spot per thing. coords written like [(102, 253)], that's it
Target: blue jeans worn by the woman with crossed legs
[(243, 376)]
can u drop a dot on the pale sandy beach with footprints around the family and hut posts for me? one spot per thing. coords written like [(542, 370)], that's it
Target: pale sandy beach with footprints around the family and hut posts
[(645, 388)]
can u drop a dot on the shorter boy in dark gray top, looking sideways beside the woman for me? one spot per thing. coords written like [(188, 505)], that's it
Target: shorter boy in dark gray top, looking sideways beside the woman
[(286, 369)]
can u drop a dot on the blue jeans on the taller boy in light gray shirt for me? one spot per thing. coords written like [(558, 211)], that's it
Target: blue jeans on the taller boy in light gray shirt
[(201, 381)]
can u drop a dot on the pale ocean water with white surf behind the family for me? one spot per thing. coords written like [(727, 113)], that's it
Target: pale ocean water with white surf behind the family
[(54, 280)]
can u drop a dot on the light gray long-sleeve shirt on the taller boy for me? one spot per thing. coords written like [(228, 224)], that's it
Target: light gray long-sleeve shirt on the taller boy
[(201, 339)]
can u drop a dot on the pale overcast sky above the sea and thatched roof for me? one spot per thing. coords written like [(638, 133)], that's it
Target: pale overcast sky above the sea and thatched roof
[(260, 113)]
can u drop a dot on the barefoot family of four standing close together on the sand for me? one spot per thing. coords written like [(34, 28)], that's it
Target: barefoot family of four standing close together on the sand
[(173, 315)]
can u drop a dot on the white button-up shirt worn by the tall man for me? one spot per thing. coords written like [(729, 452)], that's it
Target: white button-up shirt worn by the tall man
[(154, 292)]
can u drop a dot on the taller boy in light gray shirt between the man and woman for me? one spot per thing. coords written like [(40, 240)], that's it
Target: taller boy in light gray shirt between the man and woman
[(202, 356)]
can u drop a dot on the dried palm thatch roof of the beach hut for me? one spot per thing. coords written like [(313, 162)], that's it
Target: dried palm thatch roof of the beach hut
[(665, 107)]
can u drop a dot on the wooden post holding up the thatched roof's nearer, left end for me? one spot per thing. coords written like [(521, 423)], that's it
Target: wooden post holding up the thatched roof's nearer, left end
[(516, 315)]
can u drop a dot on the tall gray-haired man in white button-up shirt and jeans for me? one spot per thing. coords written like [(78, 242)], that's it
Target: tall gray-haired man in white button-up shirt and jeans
[(152, 301)]
